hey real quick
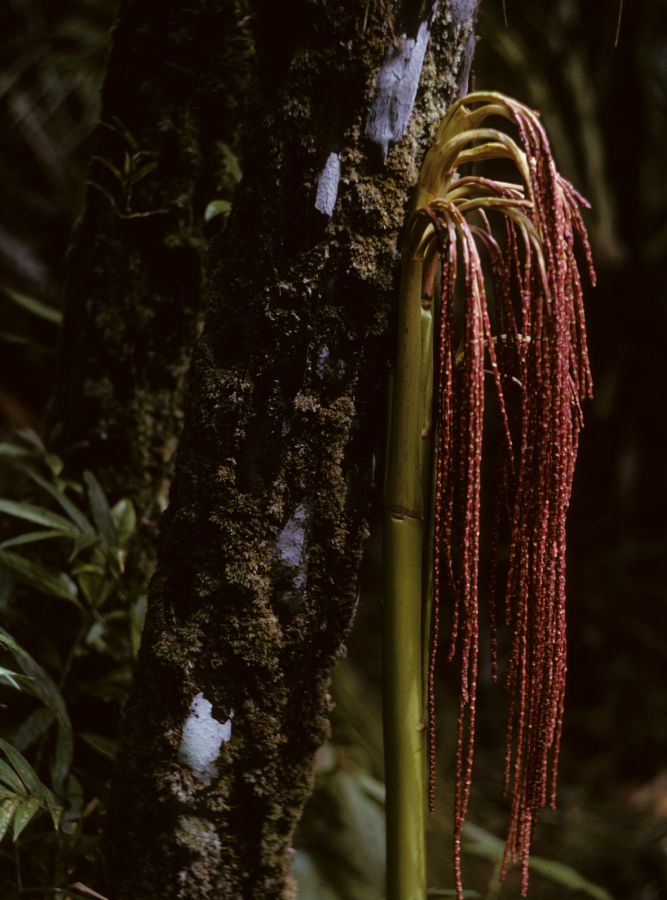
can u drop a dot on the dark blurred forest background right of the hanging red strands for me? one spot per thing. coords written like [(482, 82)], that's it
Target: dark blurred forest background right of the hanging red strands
[(604, 107)]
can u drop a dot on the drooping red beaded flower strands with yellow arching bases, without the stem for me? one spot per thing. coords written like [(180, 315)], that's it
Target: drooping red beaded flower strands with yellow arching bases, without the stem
[(520, 334)]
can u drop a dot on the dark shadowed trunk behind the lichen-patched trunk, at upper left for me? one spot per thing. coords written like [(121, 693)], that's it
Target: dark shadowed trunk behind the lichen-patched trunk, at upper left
[(134, 298)]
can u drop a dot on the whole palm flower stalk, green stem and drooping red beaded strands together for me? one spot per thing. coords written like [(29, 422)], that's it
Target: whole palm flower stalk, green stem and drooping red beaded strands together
[(491, 358)]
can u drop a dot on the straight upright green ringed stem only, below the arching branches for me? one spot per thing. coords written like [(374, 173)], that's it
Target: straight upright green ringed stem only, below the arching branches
[(406, 610)]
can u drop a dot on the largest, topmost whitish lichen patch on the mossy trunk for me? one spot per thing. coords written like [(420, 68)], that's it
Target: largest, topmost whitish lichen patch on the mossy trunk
[(397, 84)]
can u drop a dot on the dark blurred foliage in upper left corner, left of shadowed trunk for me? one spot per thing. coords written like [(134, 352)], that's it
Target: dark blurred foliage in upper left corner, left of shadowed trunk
[(52, 59)]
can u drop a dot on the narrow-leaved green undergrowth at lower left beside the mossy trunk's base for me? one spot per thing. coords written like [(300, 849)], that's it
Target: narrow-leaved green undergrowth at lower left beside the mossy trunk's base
[(72, 632)]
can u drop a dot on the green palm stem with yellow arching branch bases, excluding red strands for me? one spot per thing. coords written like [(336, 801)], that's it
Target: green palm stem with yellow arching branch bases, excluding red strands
[(408, 519)]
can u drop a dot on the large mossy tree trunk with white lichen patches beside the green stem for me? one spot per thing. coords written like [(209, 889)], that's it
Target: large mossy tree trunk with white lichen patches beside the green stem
[(257, 576)]
